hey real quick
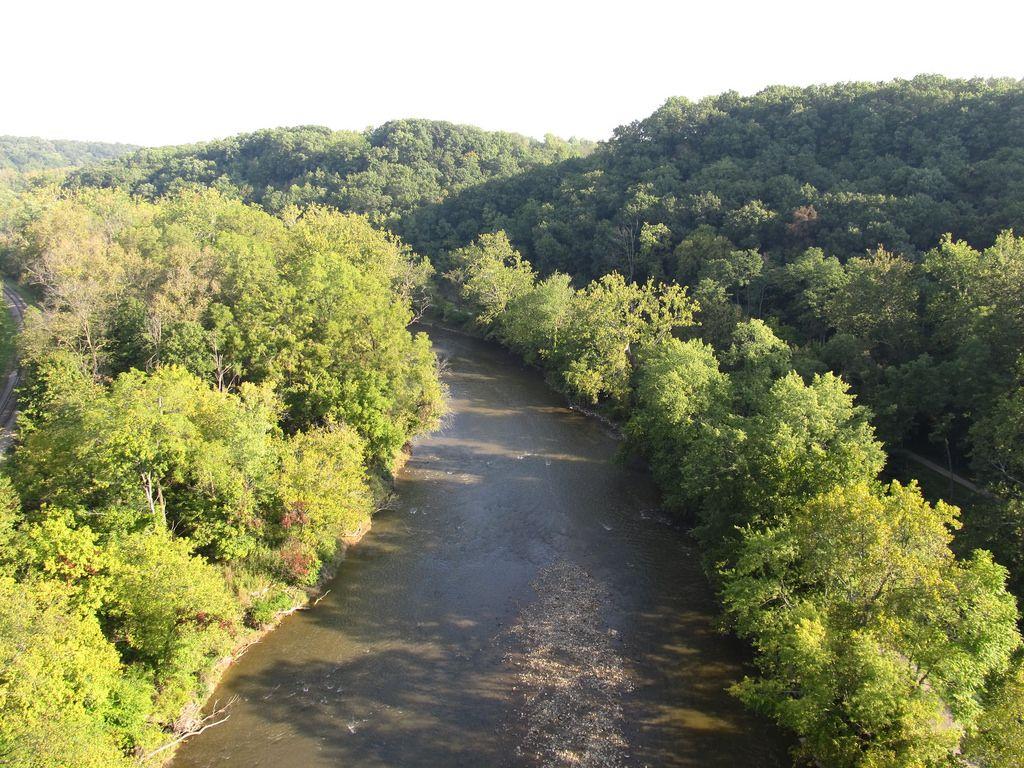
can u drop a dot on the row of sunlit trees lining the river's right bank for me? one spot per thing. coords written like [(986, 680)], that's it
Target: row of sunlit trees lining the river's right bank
[(874, 643)]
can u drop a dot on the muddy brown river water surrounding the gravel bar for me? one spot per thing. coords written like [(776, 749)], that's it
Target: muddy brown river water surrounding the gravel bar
[(407, 661)]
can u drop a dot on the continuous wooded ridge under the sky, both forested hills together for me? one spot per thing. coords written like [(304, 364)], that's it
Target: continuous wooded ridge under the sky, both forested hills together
[(845, 167)]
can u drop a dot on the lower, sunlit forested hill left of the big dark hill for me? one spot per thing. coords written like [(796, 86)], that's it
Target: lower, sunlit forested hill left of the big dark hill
[(386, 173)]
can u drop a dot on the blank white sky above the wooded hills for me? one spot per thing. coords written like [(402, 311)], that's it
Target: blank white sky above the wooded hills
[(154, 73)]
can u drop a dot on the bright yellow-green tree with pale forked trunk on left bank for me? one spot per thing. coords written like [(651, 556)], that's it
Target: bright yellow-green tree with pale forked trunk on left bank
[(163, 450)]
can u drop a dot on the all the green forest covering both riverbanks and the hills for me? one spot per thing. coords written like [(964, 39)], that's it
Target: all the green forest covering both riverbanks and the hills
[(772, 293)]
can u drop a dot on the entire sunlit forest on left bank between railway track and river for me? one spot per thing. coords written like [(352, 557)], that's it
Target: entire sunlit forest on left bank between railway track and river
[(214, 398)]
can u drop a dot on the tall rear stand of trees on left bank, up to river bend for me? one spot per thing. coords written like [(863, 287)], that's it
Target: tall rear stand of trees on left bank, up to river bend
[(316, 306)]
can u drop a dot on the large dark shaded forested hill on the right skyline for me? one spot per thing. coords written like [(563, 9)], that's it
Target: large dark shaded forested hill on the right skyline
[(843, 167)]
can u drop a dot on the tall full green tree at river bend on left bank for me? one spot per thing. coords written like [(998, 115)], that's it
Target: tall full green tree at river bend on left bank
[(355, 361)]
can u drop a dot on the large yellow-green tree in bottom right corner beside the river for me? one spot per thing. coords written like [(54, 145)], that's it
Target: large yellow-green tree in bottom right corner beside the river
[(876, 644)]
